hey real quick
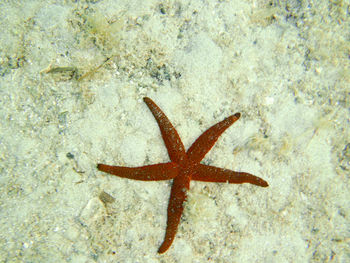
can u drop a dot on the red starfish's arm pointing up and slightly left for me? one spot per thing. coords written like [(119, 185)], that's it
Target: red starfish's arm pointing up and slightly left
[(172, 141)]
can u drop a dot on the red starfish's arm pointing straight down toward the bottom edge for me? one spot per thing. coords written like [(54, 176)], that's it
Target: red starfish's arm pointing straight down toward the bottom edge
[(175, 208)]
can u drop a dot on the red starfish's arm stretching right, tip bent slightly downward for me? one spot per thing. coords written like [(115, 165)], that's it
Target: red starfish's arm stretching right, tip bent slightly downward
[(208, 173)]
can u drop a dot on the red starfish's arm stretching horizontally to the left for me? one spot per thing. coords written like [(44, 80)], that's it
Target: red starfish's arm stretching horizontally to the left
[(155, 172)]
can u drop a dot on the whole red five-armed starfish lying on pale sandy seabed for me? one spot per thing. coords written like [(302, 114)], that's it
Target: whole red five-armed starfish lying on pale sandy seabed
[(184, 167)]
